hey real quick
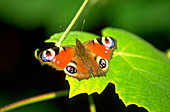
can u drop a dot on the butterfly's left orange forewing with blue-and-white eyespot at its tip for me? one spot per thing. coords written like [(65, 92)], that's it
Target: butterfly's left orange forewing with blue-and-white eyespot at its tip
[(57, 57)]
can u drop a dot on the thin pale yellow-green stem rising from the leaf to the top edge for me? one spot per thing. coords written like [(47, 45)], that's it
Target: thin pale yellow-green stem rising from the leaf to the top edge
[(72, 22)]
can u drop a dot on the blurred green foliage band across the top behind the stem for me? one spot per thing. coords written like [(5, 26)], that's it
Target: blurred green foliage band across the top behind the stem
[(139, 16)]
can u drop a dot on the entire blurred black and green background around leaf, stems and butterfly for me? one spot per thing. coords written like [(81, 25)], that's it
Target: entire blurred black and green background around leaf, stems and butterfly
[(25, 24)]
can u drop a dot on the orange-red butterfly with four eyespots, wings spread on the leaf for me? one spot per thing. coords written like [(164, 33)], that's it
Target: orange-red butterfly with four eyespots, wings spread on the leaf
[(83, 60)]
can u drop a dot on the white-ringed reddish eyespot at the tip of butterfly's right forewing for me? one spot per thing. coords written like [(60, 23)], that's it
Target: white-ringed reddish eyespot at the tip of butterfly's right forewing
[(108, 41)]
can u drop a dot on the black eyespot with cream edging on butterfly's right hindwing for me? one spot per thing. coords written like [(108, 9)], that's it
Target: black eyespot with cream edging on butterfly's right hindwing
[(103, 63)]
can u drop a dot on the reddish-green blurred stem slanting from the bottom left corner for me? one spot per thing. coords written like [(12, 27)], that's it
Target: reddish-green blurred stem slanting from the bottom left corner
[(34, 99)]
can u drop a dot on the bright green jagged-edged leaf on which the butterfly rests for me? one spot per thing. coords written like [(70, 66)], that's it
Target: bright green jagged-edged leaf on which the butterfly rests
[(140, 72)]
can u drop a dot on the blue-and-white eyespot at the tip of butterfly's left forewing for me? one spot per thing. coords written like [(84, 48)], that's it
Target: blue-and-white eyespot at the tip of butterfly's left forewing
[(48, 55)]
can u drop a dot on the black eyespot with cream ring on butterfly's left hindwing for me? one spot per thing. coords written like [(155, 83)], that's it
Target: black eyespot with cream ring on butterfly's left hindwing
[(71, 69)]
